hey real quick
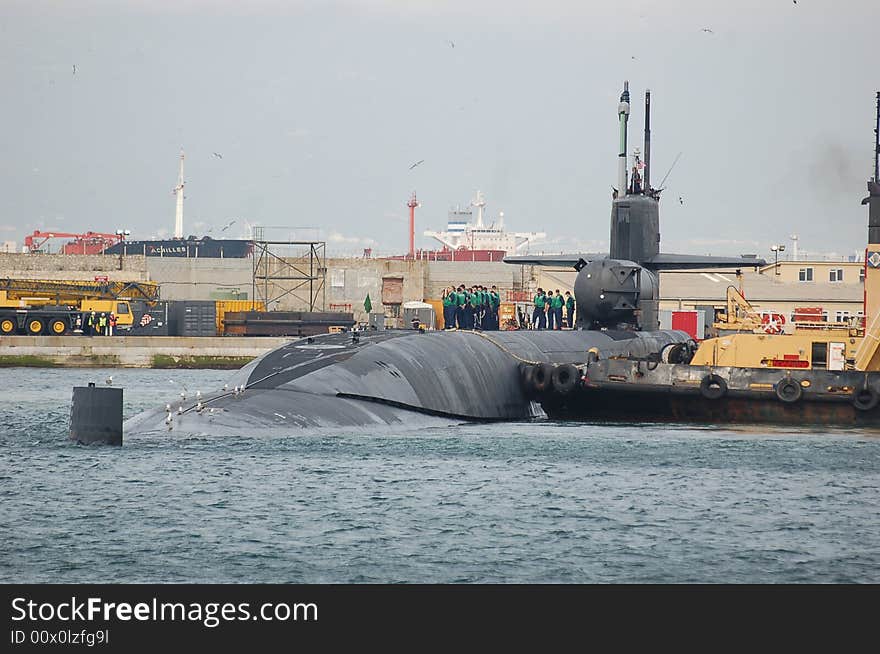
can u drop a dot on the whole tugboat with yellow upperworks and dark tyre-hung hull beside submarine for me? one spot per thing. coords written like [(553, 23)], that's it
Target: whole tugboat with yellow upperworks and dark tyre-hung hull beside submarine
[(825, 374)]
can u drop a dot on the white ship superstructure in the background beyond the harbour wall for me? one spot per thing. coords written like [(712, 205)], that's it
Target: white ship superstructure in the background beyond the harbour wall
[(462, 233)]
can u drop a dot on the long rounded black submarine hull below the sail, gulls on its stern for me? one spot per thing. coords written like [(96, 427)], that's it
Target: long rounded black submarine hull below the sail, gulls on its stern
[(391, 377)]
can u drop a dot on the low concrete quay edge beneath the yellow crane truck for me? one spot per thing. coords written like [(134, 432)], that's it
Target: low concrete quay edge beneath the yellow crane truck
[(221, 352)]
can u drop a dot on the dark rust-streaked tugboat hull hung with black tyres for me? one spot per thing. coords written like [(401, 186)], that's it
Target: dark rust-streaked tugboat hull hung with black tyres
[(630, 390)]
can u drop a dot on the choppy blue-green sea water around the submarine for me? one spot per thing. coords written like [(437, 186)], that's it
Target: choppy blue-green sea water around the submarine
[(472, 503)]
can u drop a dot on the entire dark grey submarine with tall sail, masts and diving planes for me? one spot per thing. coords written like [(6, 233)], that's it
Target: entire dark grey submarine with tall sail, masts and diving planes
[(415, 378)]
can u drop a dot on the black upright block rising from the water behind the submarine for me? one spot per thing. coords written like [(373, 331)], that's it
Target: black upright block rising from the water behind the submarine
[(96, 415)]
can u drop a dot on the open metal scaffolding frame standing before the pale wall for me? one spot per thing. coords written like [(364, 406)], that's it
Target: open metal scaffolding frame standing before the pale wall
[(292, 270)]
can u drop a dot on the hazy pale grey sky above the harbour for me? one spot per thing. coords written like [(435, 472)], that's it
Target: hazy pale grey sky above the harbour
[(319, 109)]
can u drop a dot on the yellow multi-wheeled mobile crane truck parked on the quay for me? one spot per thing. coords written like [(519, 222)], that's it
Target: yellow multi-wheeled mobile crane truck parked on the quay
[(41, 306)]
